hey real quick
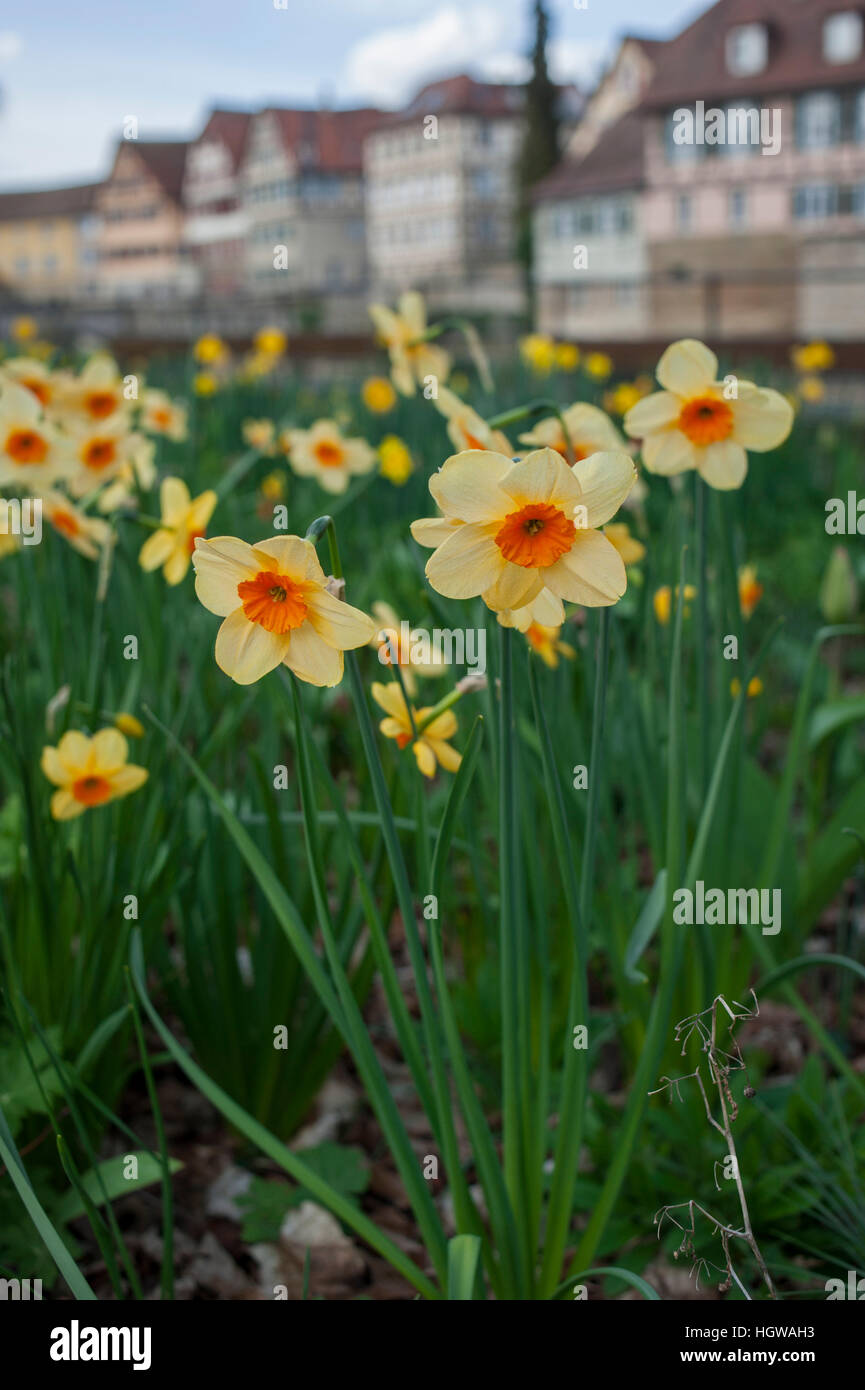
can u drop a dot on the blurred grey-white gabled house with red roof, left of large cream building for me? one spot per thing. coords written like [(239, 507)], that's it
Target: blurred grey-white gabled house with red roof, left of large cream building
[(302, 201)]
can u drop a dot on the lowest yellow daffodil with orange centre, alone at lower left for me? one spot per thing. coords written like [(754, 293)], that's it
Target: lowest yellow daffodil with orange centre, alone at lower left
[(90, 772)]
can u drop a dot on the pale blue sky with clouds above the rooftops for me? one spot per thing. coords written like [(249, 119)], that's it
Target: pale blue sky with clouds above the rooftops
[(70, 74)]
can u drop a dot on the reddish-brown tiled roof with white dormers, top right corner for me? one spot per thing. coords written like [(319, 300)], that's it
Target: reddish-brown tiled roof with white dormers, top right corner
[(693, 66)]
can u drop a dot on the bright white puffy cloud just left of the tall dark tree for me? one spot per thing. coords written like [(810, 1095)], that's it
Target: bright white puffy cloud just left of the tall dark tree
[(390, 66)]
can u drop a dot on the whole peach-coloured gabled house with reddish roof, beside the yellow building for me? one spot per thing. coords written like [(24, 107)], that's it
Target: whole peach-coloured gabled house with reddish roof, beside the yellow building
[(141, 236)]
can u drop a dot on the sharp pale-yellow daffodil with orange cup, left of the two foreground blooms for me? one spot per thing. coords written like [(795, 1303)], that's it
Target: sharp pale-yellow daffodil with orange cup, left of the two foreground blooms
[(277, 610)]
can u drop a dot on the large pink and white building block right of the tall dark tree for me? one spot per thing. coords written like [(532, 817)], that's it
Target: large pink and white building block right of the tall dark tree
[(731, 199)]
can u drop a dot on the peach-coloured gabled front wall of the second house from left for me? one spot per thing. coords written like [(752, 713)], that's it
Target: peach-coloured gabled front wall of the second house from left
[(141, 234)]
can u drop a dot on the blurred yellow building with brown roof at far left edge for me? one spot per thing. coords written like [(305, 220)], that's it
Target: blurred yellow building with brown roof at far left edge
[(49, 243)]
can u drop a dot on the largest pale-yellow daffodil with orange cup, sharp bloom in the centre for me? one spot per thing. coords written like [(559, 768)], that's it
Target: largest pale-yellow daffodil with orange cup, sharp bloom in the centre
[(522, 528)]
